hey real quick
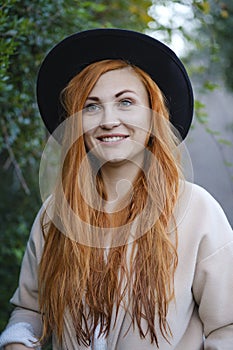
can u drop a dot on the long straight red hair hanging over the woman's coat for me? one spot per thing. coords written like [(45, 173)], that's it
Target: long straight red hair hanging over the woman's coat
[(79, 278)]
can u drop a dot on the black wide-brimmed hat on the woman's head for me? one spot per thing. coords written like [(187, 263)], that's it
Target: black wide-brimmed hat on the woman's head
[(79, 50)]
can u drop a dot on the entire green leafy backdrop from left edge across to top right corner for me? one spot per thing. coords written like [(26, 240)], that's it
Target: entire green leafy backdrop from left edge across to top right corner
[(28, 30)]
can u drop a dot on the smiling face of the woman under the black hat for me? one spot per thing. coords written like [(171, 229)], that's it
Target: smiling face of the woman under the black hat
[(117, 117)]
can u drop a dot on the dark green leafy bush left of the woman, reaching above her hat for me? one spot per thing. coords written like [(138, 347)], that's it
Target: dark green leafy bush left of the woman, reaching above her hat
[(28, 30)]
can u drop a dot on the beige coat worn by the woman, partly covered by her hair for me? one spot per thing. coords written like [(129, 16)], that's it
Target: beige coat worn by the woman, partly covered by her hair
[(201, 316)]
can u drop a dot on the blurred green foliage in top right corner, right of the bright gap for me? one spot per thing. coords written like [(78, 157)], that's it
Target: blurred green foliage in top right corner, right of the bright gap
[(215, 38)]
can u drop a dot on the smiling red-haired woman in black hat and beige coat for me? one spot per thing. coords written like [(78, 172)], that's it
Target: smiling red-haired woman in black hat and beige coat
[(124, 254)]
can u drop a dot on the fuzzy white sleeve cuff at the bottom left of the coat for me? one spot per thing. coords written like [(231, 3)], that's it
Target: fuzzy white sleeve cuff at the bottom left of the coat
[(20, 332)]
